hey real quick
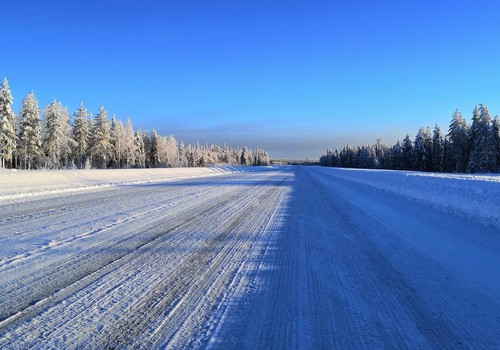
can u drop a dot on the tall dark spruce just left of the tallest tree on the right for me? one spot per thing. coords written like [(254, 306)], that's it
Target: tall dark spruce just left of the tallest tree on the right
[(458, 135)]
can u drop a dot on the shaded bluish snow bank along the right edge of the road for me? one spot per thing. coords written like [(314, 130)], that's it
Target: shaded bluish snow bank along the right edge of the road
[(475, 197)]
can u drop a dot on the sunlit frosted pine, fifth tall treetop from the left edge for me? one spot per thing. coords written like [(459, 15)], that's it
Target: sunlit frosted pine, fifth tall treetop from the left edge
[(101, 146)]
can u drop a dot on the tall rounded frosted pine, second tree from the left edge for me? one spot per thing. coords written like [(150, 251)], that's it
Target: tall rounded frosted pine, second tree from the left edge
[(30, 137)]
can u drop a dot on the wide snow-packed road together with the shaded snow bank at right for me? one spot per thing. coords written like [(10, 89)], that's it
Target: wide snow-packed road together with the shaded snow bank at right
[(281, 258)]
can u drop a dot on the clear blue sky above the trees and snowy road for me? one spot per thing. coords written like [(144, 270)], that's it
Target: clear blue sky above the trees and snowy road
[(294, 77)]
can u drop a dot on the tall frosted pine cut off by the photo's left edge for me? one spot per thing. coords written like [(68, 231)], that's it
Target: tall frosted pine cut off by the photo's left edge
[(8, 138)]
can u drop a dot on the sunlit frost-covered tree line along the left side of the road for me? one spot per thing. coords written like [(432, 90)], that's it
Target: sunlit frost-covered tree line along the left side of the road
[(49, 140)]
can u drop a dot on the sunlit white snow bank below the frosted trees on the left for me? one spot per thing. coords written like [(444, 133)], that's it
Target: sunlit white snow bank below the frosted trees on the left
[(22, 183)]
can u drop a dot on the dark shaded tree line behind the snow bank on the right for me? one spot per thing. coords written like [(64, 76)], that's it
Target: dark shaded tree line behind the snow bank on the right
[(473, 148)]
